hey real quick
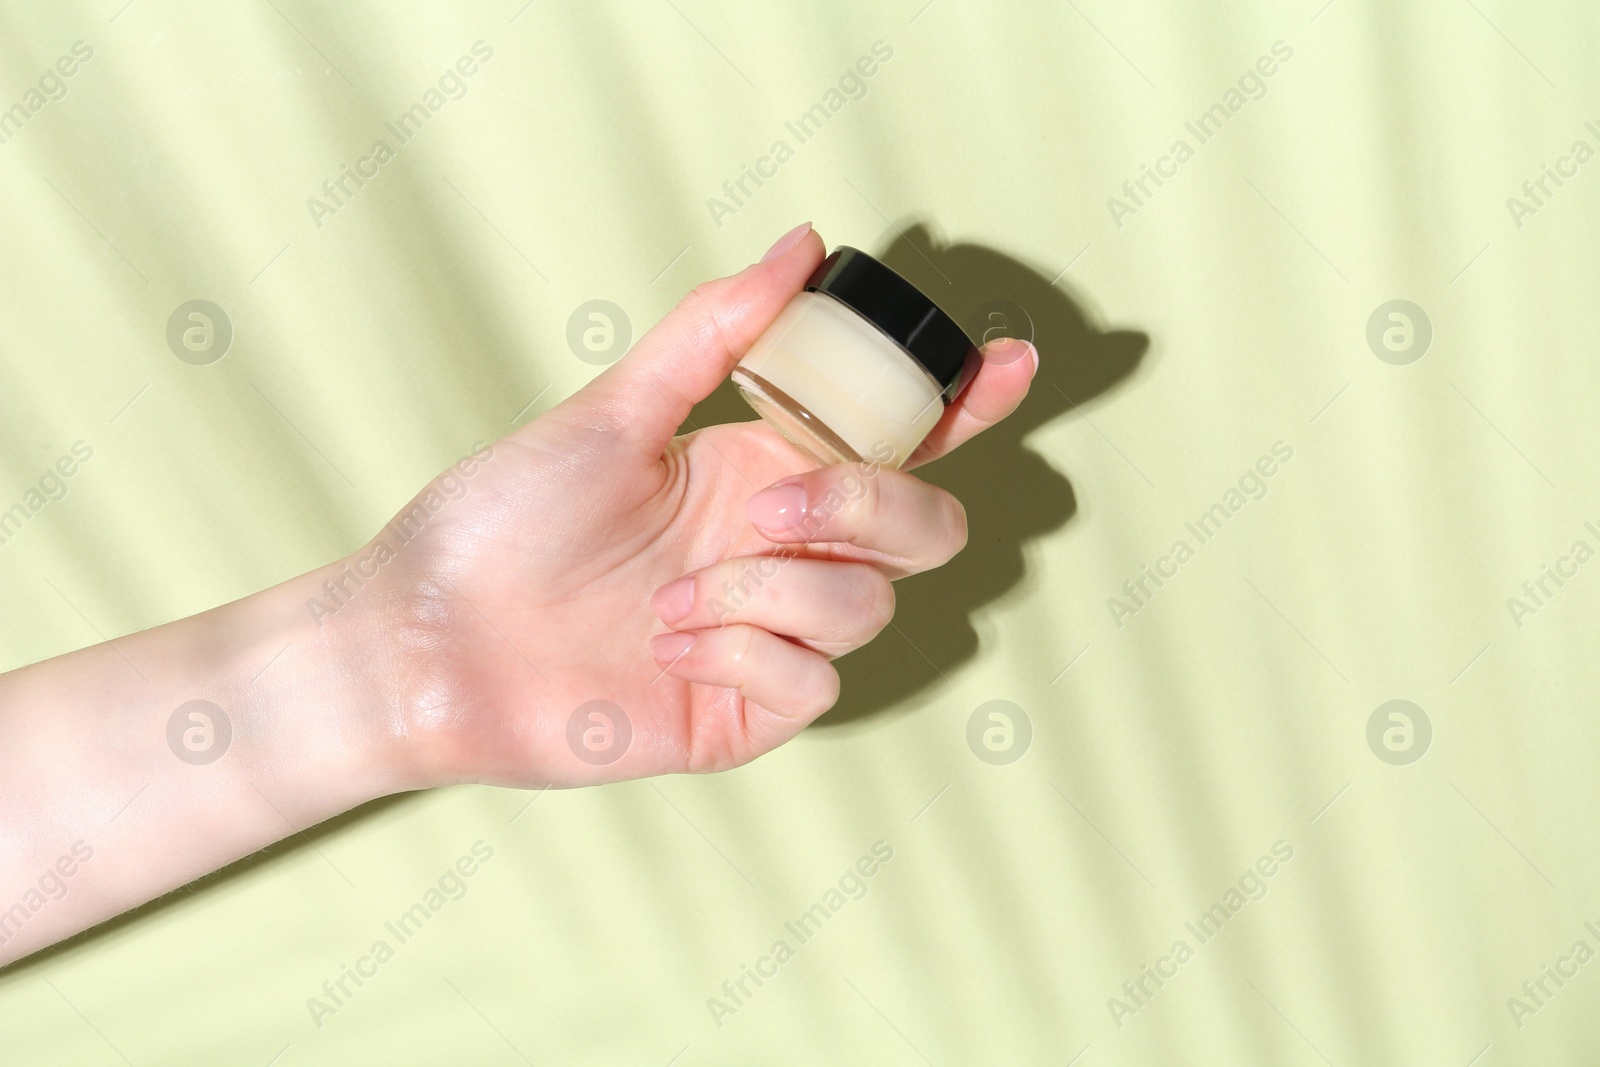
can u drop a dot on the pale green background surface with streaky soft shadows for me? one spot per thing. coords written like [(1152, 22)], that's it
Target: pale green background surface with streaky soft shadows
[(1175, 751)]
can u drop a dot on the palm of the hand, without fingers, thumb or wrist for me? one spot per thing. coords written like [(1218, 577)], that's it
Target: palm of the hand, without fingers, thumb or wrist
[(529, 599)]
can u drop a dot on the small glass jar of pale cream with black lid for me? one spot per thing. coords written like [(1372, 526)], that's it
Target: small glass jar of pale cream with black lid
[(858, 367)]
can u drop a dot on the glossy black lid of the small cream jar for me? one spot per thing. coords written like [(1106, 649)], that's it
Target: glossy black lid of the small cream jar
[(898, 310)]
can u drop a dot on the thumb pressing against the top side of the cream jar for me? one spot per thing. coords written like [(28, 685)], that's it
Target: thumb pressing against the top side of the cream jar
[(646, 396)]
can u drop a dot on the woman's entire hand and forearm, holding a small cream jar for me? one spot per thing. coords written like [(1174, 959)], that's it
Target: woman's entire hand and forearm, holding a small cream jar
[(586, 601)]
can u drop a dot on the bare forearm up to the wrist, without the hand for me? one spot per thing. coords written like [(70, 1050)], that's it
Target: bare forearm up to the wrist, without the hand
[(106, 805)]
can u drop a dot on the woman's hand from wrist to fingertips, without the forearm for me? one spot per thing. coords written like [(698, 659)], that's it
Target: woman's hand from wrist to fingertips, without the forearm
[(681, 596)]
